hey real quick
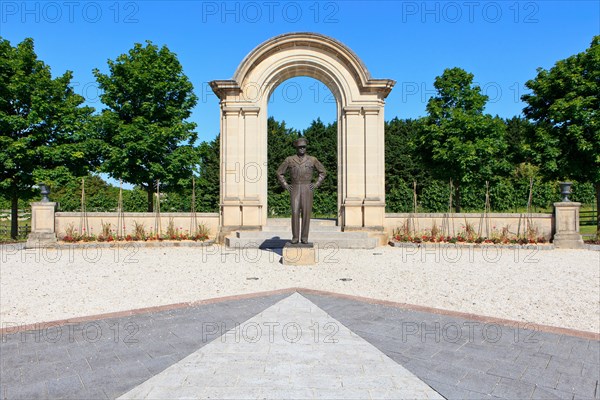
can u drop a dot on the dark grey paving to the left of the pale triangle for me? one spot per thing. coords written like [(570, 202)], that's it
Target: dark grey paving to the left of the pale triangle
[(111, 356)]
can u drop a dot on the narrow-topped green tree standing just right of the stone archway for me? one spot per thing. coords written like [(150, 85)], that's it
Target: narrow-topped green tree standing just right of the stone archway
[(458, 140)]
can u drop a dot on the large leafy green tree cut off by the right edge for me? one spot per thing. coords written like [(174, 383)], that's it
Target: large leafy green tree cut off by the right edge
[(565, 106)]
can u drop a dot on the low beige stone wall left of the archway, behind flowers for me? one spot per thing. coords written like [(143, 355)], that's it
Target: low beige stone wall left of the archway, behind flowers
[(95, 220)]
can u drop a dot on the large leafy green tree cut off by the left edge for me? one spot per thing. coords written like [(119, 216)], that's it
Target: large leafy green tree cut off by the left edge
[(42, 126)]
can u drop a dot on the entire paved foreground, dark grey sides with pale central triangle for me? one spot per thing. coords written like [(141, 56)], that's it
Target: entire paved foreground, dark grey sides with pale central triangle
[(296, 345)]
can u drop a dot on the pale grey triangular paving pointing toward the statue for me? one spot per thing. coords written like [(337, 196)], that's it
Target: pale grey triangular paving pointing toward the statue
[(307, 353)]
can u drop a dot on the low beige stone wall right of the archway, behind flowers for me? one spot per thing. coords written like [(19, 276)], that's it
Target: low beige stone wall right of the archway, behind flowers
[(516, 222)]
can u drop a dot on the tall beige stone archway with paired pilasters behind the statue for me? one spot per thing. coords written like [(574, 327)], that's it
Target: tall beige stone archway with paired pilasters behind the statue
[(360, 102)]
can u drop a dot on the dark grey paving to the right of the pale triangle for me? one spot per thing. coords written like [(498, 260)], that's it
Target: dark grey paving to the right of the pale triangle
[(478, 360)]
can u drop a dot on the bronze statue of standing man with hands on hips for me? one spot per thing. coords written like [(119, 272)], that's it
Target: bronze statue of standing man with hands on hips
[(301, 189)]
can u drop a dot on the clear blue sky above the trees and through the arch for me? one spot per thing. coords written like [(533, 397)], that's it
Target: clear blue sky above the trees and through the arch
[(500, 42)]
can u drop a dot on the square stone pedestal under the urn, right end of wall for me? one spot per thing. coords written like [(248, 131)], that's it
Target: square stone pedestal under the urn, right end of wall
[(566, 226)]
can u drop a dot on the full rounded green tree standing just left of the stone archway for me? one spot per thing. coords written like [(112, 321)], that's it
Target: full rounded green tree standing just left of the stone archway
[(147, 137)]
